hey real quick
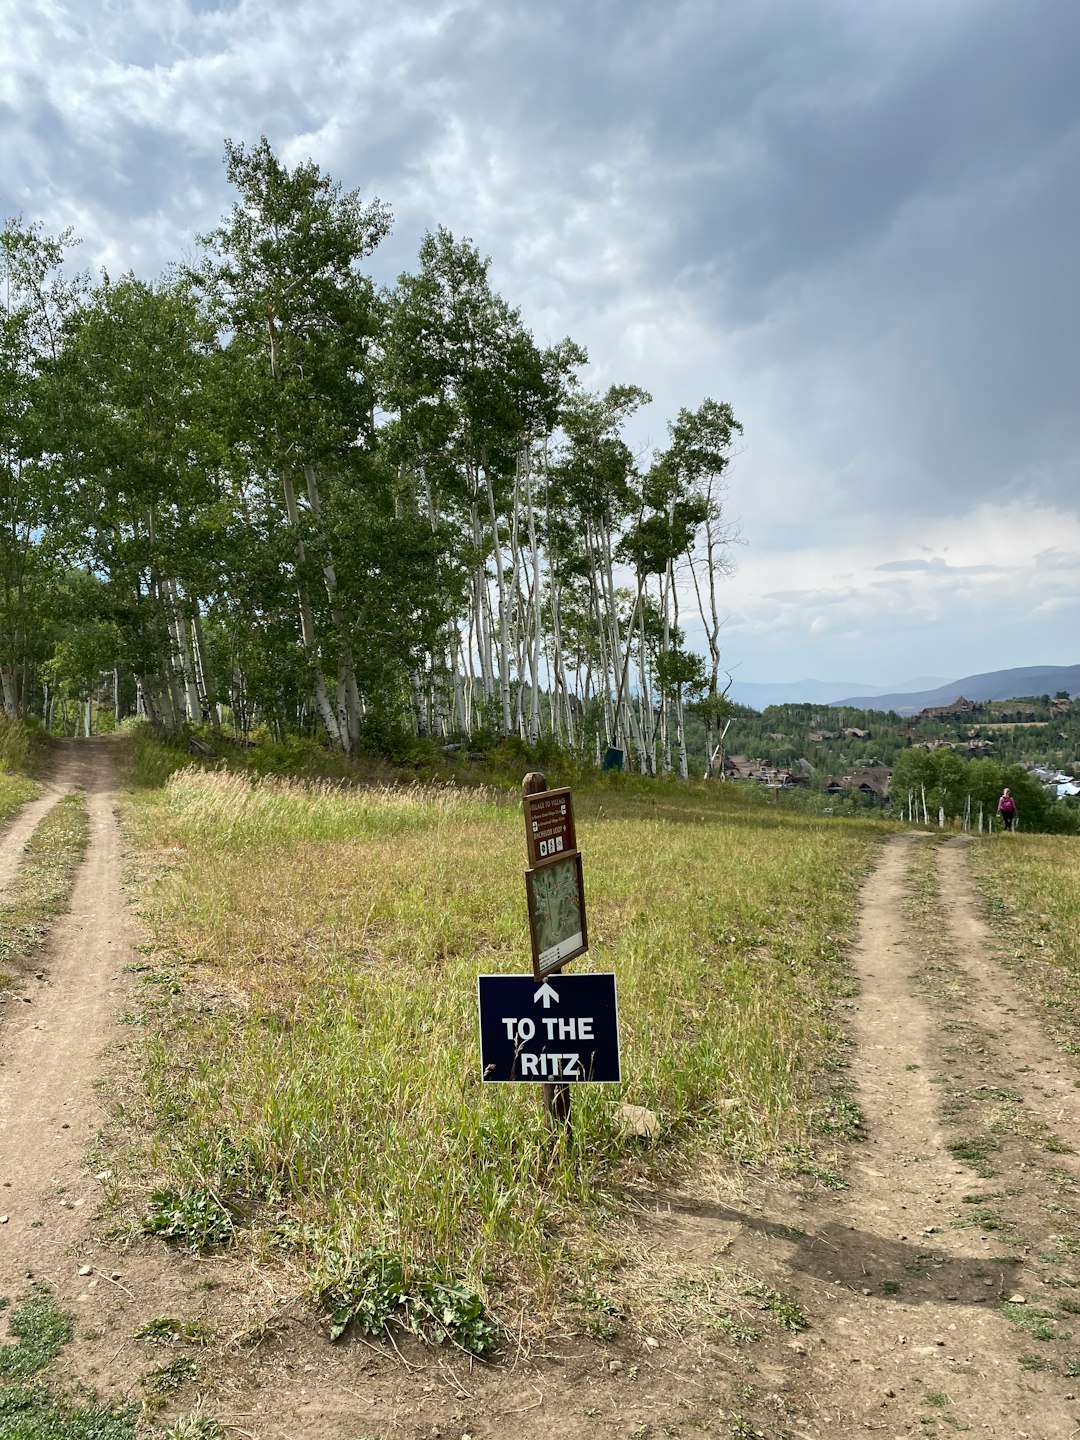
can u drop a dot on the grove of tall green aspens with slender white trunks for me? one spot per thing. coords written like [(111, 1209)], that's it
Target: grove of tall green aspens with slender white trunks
[(261, 492)]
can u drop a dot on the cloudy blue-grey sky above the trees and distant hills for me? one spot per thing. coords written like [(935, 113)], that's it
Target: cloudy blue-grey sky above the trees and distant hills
[(855, 221)]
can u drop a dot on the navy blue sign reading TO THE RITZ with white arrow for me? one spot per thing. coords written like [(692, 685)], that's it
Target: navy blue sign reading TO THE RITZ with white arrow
[(564, 1029)]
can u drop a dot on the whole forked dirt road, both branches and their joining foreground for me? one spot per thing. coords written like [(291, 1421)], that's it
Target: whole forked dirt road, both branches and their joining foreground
[(932, 1285)]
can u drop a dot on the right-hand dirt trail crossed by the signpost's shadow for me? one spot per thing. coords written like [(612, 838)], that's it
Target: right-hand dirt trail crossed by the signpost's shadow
[(901, 1288)]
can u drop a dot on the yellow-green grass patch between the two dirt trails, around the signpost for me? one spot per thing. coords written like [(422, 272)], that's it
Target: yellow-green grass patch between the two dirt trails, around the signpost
[(312, 1026)]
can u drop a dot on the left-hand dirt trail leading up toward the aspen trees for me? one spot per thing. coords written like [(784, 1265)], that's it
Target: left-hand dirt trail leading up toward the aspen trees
[(51, 1114)]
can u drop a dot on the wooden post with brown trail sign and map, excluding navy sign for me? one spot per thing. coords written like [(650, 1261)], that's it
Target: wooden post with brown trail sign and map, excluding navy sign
[(558, 927)]
